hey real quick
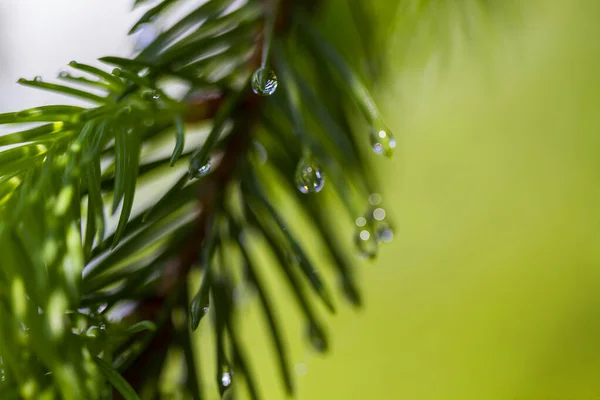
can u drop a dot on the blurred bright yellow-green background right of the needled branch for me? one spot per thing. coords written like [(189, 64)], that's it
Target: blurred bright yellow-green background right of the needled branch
[(491, 289)]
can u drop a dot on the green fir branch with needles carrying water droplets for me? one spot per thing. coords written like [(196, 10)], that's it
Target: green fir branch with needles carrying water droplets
[(60, 181)]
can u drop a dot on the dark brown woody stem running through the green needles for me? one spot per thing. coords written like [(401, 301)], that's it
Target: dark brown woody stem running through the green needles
[(203, 106)]
